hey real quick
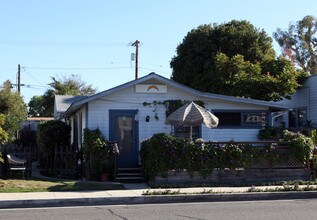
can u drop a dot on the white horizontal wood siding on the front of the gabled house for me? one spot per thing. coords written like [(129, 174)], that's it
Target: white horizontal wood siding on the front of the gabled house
[(127, 99)]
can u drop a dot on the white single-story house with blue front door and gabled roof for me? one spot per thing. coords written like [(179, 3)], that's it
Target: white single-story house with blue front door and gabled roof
[(134, 111)]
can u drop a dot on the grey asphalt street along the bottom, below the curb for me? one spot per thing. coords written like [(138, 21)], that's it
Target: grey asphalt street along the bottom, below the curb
[(281, 209)]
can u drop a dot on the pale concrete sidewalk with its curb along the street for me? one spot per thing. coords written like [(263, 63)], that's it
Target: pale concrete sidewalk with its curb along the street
[(133, 194)]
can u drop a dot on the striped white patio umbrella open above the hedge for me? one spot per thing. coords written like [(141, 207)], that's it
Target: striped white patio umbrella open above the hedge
[(192, 115)]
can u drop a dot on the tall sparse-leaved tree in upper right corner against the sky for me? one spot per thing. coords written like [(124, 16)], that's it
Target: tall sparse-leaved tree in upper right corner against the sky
[(299, 43)]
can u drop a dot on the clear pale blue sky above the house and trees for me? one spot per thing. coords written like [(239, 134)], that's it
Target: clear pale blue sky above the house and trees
[(91, 38)]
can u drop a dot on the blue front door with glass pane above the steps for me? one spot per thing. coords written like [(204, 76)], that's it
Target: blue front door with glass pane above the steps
[(123, 129)]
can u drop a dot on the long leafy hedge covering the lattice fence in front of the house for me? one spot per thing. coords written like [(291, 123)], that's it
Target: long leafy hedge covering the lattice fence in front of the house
[(162, 153)]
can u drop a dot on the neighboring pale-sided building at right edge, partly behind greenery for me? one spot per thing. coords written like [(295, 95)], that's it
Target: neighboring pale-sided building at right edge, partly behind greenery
[(303, 105)]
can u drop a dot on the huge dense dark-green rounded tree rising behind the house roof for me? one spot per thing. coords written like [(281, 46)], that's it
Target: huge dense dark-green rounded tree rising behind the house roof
[(235, 59)]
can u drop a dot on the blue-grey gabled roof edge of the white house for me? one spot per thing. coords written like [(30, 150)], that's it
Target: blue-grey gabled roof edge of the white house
[(169, 82)]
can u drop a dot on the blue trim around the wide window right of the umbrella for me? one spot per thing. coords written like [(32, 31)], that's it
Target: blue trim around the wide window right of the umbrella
[(242, 112)]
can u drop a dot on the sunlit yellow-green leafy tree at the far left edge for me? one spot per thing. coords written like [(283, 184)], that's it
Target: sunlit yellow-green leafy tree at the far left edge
[(13, 108)]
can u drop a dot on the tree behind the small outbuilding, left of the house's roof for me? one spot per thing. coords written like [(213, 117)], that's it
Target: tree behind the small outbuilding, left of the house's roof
[(66, 85)]
